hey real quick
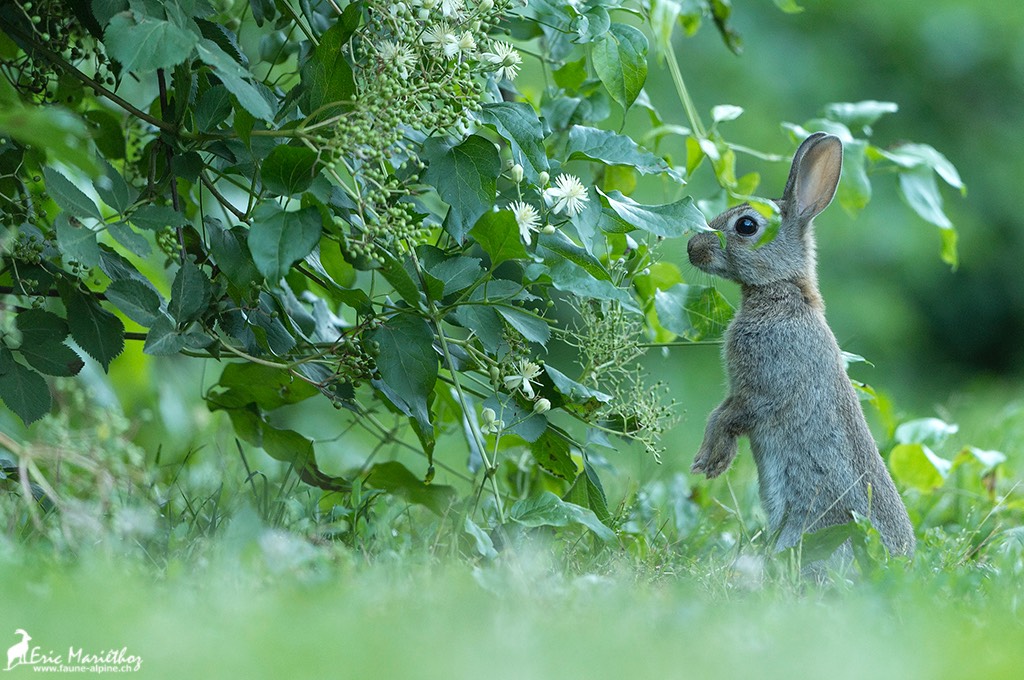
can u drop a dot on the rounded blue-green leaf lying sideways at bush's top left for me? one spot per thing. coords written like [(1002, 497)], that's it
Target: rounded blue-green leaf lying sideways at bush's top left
[(143, 44)]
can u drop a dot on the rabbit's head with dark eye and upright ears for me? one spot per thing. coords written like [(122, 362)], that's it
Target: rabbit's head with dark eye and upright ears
[(752, 256)]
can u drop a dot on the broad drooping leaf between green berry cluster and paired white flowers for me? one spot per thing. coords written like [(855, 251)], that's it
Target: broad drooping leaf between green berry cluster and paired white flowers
[(466, 179)]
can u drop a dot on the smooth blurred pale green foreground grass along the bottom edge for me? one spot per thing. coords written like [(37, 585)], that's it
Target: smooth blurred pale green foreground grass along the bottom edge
[(520, 619)]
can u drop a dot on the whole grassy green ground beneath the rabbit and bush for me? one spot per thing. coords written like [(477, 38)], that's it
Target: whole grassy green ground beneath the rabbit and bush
[(226, 582)]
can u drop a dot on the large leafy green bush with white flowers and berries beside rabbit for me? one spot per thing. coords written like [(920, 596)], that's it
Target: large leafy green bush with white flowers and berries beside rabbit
[(357, 202)]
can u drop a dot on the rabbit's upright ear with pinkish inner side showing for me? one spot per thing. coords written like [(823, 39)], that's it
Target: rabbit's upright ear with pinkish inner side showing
[(815, 177)]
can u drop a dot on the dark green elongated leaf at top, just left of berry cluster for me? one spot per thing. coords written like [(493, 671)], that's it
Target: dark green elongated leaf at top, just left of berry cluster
[(327, 76)]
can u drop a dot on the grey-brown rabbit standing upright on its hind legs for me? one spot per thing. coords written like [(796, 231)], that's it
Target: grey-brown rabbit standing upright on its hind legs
[(789, 391)]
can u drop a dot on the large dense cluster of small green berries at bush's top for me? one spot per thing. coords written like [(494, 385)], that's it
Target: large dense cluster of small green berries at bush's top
[(420, 68)]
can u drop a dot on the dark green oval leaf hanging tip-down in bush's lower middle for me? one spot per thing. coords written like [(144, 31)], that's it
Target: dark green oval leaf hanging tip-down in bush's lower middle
[(408, 363)]
